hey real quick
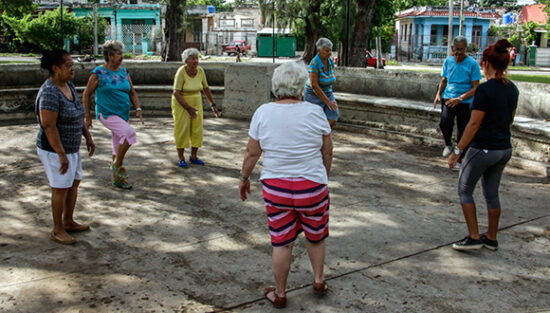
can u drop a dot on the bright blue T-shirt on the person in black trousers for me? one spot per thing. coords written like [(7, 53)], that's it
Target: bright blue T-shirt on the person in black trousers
[(459, 76)]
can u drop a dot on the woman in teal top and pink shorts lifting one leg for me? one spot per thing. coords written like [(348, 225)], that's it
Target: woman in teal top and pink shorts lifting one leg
[(113, 93)]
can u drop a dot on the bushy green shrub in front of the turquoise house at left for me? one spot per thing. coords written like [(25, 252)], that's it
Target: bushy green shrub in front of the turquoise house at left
[(45, 30)]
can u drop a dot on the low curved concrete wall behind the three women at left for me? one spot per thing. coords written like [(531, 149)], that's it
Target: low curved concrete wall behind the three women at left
[(19, 85)]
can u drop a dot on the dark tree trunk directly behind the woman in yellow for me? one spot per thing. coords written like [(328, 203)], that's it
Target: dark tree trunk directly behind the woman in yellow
[(174, 32)]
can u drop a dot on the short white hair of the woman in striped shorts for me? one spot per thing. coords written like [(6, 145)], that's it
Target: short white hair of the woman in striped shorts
[(289, 79)]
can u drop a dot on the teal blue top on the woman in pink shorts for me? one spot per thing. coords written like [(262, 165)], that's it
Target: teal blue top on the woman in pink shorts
[(112, 96)]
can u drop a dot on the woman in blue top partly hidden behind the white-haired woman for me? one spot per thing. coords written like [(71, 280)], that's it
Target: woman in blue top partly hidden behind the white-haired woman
[(321, 79)]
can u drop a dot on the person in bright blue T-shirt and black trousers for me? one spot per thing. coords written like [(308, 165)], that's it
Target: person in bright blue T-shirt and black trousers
[(459, 79)]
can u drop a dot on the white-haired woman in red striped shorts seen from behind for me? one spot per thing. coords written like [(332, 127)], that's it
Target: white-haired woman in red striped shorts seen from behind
[(294, 137)]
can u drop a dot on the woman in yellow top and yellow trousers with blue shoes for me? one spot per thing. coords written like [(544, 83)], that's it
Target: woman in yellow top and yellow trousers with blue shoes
[(187, 106)]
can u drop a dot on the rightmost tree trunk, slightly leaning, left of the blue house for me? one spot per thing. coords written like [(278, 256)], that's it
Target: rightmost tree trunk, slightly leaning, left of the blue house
[(361, 31)]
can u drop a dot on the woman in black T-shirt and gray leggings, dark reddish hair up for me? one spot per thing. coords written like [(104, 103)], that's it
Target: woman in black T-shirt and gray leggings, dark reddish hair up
[(488, 136)]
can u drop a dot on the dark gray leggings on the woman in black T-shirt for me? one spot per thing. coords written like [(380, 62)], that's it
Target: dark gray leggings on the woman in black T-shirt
[(487, 165)]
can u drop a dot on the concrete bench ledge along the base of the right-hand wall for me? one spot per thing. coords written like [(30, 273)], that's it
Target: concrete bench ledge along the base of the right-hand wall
[(418, 122)]
